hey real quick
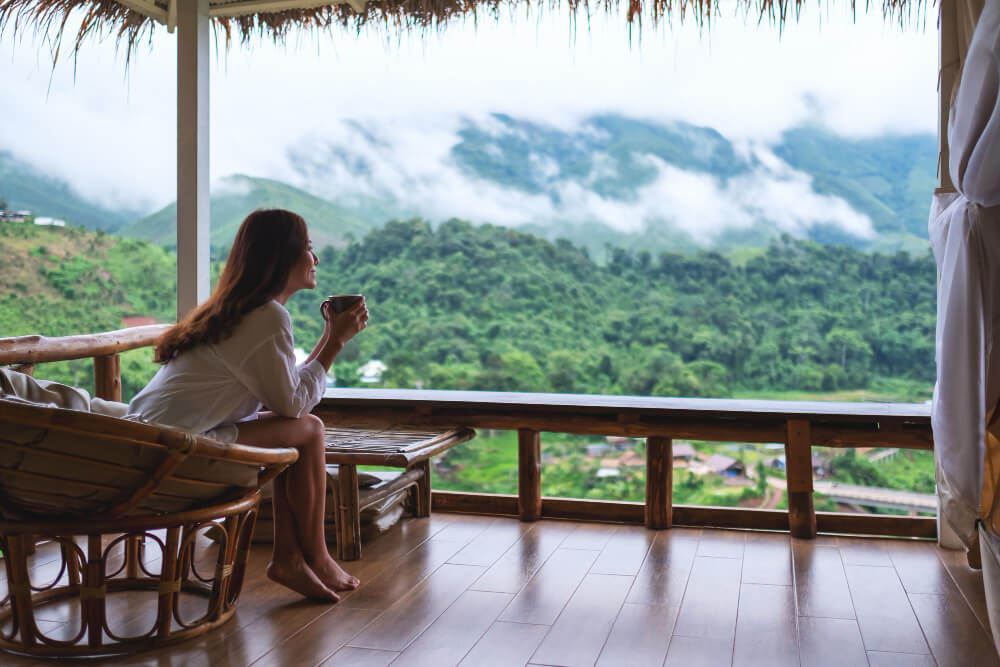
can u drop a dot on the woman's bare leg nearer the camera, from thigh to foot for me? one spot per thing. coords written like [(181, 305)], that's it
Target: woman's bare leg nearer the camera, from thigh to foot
[(288, 565)]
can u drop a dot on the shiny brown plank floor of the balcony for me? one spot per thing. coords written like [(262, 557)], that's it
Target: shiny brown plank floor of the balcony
[(469, 590)]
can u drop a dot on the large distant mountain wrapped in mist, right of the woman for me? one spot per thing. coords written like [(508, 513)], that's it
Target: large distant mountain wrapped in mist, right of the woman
[(633, 183)]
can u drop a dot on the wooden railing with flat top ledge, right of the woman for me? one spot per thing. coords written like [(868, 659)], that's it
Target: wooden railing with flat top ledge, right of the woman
[(800, 426)]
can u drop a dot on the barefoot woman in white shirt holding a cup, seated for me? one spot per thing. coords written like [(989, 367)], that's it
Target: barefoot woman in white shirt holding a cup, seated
[(229, 372)]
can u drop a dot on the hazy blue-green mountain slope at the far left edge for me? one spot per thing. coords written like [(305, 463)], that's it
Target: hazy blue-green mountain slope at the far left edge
[(25, 187)]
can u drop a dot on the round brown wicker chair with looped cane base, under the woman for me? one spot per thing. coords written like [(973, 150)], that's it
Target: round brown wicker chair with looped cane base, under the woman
[(110, 496)]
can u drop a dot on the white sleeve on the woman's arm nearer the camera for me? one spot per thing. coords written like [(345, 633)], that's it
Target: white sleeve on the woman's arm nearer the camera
[(270, 373)]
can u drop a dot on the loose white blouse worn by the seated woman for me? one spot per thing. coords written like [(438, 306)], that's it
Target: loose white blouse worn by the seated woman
[(210, 387)]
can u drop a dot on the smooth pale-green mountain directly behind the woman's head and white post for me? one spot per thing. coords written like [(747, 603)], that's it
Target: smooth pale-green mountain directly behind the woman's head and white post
[(235, 196)]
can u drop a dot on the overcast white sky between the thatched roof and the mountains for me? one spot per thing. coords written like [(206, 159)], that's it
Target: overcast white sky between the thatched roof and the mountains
[(859, 77)]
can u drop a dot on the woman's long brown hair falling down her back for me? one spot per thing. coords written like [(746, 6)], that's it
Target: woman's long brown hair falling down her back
[(267, 247)]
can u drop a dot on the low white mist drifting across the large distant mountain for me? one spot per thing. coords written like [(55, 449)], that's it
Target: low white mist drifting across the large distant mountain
[(412, 168)]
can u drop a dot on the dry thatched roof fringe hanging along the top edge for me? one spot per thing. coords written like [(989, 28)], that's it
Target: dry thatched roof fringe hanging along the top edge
[(129, 21)]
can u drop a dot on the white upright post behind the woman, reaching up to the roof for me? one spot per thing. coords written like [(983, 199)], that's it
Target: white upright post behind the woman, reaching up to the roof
[(192, 154)]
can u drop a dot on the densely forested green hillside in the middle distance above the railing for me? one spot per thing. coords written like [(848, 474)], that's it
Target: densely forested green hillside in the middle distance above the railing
[(483, 307)]
